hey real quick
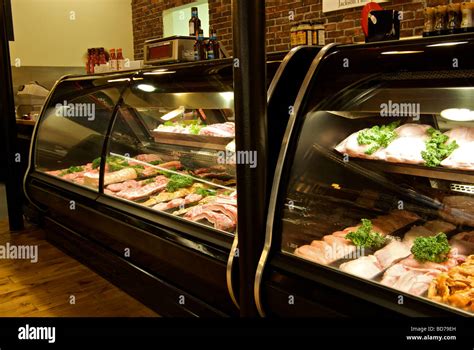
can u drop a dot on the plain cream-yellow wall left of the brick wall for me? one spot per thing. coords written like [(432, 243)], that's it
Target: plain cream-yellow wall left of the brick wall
[(57, 33)]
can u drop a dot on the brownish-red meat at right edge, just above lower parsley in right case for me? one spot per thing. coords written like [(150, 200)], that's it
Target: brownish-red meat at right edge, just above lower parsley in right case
[(458, 210)]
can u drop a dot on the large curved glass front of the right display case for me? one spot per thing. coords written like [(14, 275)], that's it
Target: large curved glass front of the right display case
[(381, 186)]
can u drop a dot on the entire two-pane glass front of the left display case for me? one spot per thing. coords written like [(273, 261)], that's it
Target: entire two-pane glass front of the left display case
[(168, 151)]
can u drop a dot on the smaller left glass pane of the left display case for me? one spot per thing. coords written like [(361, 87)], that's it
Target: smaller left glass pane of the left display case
[(73, 127)]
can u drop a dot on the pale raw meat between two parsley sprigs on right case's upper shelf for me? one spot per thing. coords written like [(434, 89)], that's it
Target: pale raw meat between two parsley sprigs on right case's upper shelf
[(406, 150)]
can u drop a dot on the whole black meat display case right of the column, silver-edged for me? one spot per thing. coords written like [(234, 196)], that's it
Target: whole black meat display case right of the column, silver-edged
[(371, 207)]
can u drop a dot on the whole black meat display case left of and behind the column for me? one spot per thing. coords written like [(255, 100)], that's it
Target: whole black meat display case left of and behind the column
[(133, 174)]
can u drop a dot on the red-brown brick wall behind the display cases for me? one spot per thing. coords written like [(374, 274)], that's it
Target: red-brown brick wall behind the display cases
[(341, 26)]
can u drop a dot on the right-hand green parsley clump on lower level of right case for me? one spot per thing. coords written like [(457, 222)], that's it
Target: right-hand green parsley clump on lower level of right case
[(433, 248)]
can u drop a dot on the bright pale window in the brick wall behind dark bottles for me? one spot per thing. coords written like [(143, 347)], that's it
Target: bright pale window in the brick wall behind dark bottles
[(175, 20)]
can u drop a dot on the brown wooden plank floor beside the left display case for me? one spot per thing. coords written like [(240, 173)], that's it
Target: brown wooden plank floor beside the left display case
[(45, 288)]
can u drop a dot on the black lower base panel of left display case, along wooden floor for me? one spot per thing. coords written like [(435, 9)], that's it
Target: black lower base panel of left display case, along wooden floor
[(157, 294)]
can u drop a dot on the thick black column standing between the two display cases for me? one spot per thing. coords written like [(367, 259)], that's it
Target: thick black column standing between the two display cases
[(251, 136)]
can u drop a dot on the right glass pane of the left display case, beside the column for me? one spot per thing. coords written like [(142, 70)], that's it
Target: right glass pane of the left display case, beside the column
[(172, 145)]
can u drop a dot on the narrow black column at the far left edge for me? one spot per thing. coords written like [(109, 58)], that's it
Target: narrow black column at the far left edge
[(7, 122)]
